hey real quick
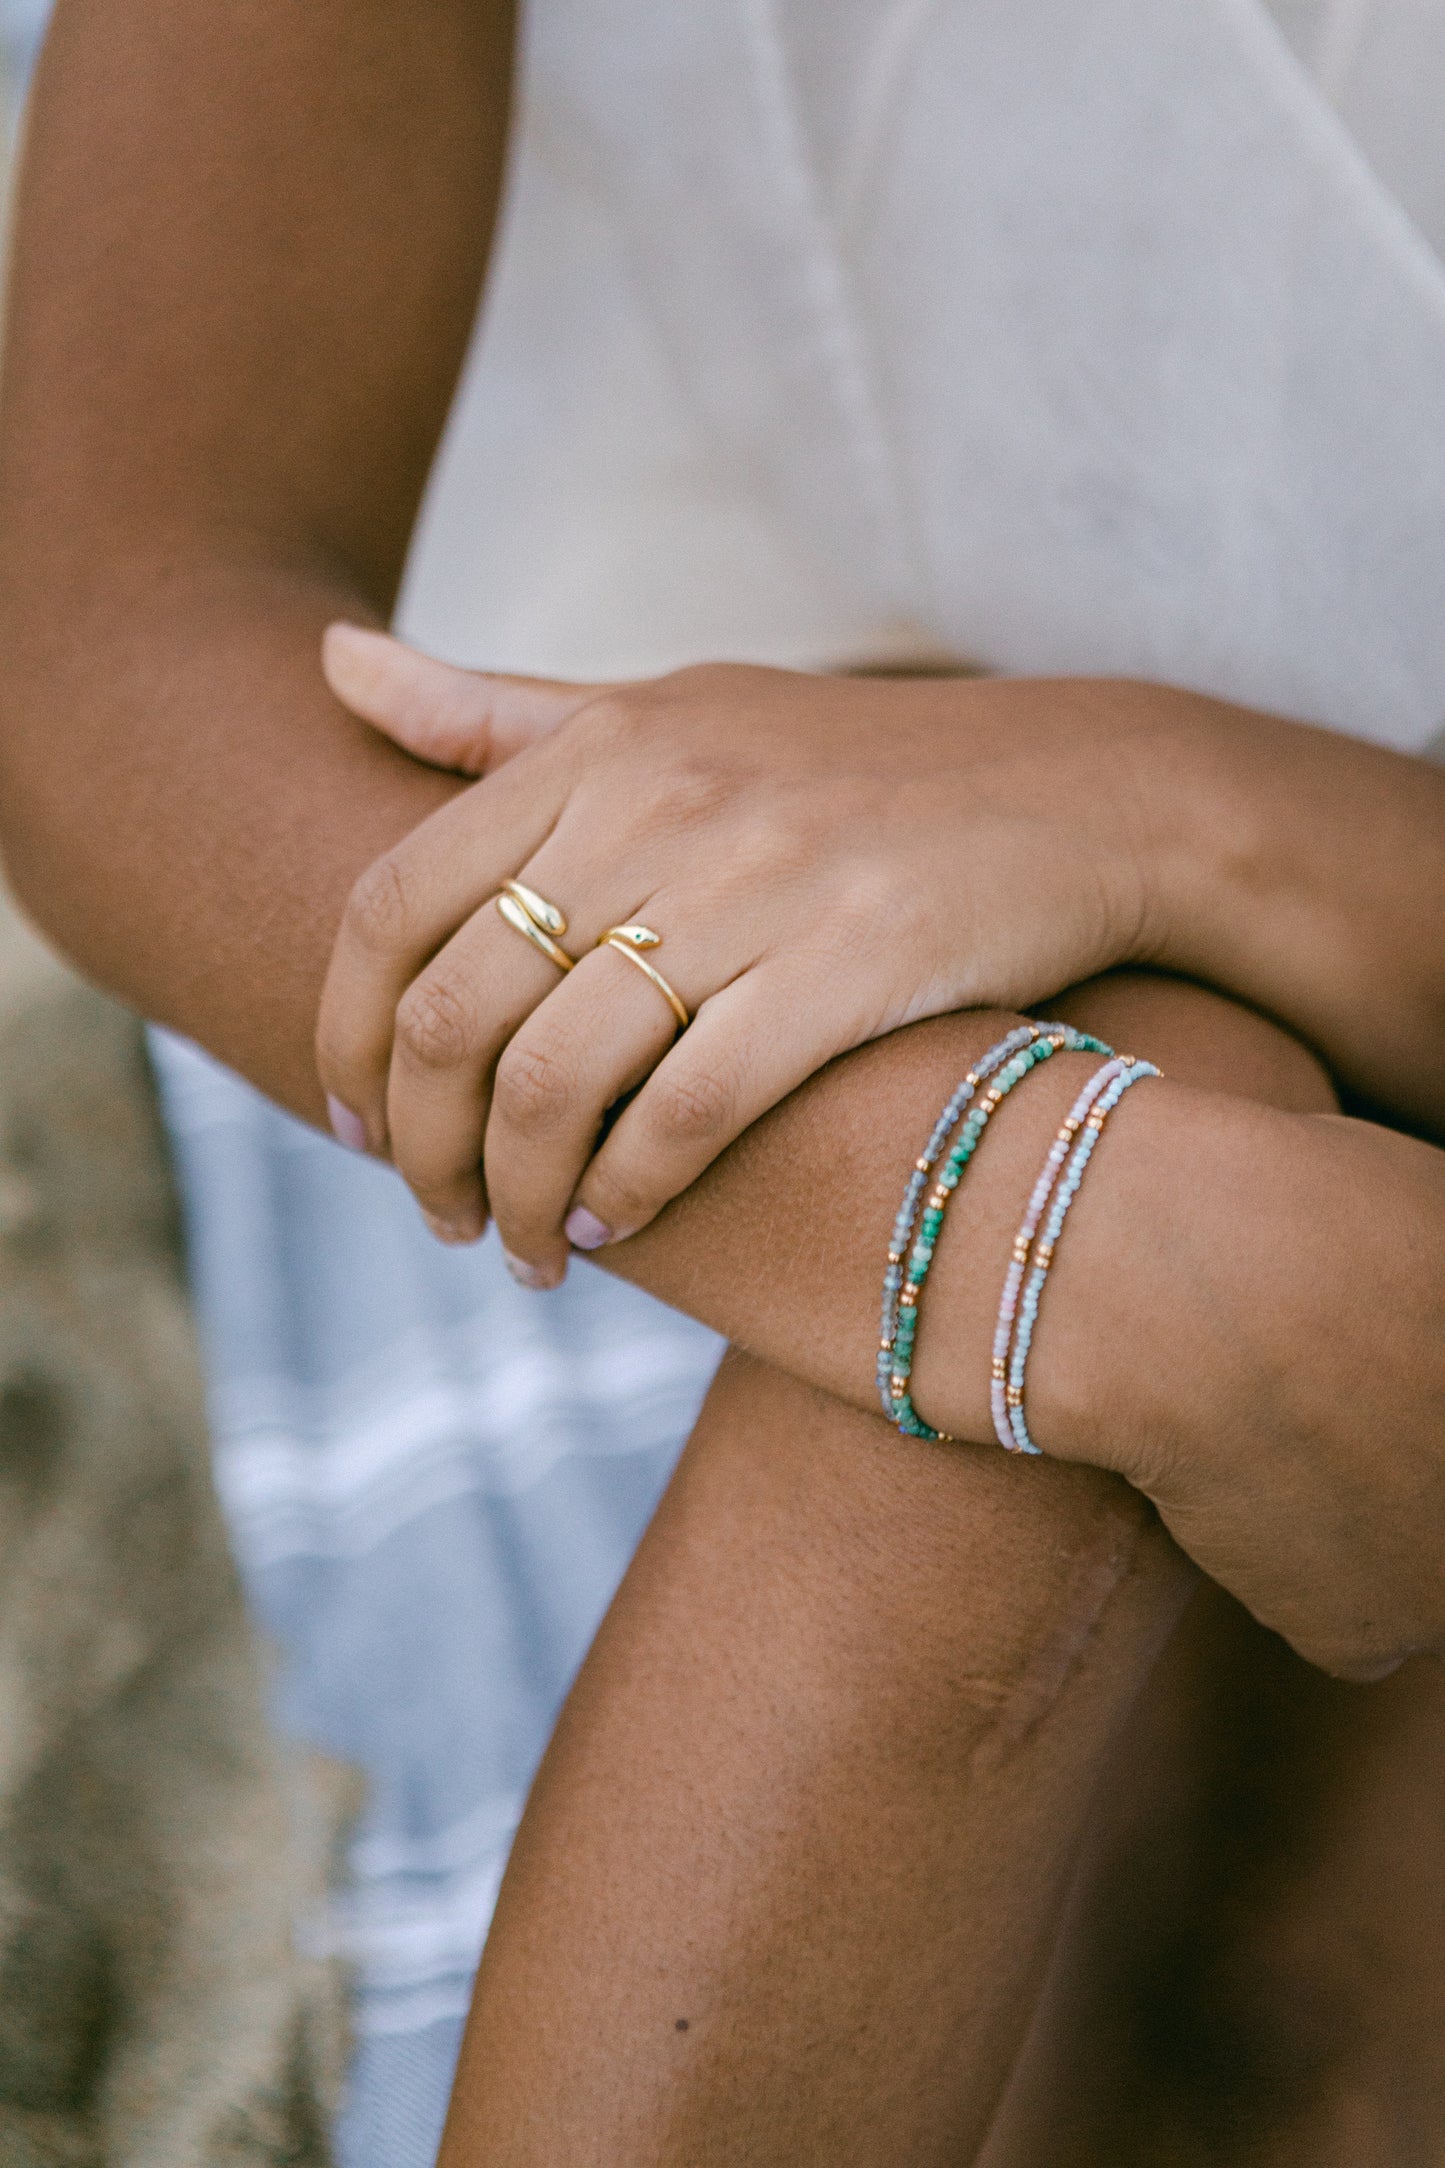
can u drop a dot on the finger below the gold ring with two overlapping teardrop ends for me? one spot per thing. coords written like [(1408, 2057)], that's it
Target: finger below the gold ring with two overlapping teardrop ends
[(452, 1027)]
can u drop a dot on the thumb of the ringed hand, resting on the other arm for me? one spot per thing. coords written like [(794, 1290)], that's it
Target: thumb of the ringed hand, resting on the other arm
[(469, 721)]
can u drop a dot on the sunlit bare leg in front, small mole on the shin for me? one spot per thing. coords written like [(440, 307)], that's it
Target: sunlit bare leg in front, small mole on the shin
[(790, 1876)]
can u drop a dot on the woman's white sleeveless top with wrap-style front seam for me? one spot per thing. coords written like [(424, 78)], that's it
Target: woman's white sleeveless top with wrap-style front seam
[(1063, 335)]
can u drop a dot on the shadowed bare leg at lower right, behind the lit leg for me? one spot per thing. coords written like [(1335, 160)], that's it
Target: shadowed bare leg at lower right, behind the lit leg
[(1253, 1970)]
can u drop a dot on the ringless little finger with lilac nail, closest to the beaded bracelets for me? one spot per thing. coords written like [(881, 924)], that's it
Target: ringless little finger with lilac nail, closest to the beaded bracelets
[(746, 1050)]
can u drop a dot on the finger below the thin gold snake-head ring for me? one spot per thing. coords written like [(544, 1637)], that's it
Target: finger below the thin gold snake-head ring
[(595, 1040)]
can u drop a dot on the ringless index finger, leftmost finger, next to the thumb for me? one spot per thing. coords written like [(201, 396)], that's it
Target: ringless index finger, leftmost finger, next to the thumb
[(402, 914)]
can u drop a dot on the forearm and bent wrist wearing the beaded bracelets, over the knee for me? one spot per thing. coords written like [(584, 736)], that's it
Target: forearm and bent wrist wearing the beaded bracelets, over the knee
[(1242, 1317)]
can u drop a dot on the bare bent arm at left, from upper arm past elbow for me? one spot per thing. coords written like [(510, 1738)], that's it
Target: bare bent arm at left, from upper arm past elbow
[(248, 255)]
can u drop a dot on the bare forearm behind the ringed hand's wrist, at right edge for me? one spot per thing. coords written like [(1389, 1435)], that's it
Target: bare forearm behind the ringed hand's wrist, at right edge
[(1305, 873)]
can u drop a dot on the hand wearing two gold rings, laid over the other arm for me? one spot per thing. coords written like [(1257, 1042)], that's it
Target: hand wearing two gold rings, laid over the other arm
[(824, 860)]
